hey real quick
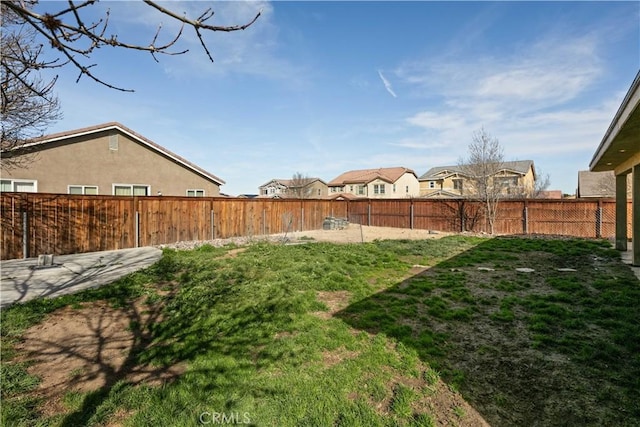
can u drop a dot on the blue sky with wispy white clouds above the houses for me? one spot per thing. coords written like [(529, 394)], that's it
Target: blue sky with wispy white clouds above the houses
[(320, 88)]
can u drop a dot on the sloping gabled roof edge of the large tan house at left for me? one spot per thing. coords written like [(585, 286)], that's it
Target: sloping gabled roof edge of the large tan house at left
[(118, 126)]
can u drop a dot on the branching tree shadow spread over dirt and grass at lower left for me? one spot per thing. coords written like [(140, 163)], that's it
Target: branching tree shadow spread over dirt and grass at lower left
[(104, 343)]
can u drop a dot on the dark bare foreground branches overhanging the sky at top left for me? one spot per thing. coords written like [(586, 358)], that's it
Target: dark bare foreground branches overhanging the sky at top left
[(66, 31)]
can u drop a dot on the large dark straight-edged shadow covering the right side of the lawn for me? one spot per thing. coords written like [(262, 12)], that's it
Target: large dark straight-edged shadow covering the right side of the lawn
[(538, 348)]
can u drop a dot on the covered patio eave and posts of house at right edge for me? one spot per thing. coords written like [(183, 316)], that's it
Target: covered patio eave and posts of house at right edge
[(619, 151)]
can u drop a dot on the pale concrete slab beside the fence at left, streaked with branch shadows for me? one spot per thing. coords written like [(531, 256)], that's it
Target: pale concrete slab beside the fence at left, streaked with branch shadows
[(23, 280)]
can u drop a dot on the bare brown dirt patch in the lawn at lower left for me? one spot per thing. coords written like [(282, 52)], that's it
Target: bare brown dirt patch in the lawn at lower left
[(91, 348)]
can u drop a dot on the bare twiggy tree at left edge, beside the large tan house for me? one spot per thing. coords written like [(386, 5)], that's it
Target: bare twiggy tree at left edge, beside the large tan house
[(29, 104)]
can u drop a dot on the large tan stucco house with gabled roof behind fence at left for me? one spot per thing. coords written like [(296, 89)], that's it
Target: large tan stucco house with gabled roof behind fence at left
[(107, 159)]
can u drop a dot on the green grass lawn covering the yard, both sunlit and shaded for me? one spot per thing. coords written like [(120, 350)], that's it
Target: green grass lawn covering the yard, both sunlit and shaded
[(323, 334)]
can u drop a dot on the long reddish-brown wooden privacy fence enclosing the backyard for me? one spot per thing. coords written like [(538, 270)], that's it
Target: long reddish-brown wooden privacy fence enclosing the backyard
[(37, 223)]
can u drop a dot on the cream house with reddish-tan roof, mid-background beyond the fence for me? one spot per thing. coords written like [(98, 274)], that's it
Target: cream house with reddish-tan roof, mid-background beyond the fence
[(381, 183)]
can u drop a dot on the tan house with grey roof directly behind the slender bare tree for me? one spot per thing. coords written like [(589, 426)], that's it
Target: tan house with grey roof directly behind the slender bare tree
[(516, 177)]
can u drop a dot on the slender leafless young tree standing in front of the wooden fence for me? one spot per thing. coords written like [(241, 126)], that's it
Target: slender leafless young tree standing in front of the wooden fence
[(484, 162)]
